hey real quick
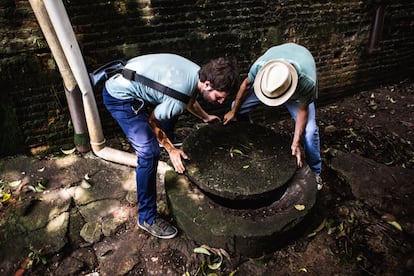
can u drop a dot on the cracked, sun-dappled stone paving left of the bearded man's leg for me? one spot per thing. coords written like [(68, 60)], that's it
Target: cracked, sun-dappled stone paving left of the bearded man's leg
[(85, 199)]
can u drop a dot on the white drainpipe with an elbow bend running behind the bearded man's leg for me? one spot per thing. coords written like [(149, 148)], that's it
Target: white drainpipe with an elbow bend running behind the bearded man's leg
[(71, 55)]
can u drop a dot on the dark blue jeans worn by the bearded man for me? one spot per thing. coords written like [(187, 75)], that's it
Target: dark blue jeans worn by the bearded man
[(142, 138)]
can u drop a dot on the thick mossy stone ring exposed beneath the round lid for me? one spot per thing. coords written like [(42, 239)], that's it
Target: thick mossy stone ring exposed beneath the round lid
[(246, 232)]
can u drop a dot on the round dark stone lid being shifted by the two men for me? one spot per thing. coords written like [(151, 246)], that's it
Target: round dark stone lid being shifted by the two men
[(239, 161)]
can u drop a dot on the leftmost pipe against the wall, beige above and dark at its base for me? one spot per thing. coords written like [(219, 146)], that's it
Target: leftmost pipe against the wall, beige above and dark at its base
[(72, 92)]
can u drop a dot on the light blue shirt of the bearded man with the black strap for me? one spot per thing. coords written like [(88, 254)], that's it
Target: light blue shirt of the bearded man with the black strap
[(170, 70)]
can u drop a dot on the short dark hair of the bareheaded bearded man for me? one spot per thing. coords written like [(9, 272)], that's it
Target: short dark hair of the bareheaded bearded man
[(222, 73)]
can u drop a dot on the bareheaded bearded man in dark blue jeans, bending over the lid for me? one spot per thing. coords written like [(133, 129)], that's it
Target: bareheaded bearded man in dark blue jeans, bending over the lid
[(140, 111)]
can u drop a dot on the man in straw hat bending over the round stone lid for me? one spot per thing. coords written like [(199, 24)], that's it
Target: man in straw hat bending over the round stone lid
[(286, 74)]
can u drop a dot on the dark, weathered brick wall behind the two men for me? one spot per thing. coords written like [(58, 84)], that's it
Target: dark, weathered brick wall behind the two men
[(338, 33)]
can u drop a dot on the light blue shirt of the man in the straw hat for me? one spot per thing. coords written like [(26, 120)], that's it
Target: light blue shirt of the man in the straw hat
[(302, 59)]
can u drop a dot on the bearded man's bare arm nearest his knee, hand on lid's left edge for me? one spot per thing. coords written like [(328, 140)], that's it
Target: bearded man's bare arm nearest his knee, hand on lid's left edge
[(174, 153)]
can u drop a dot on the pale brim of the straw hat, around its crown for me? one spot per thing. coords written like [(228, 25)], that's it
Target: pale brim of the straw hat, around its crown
[(275, 101)]
